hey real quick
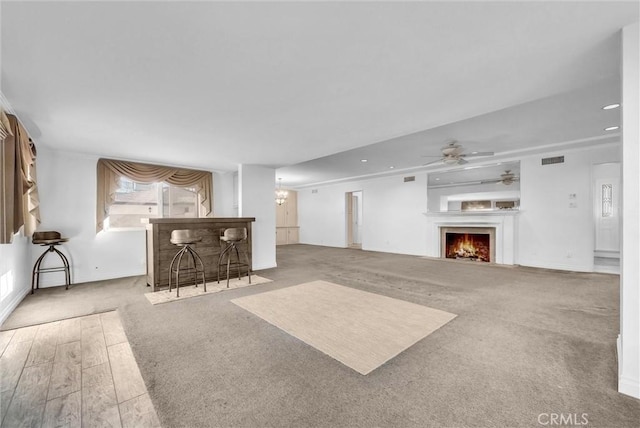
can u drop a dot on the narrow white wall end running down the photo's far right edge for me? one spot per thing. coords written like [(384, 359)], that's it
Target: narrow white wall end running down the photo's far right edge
[(629, 344)]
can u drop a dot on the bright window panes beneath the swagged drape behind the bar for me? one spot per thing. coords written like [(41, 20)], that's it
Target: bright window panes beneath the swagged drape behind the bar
[(134, 201)]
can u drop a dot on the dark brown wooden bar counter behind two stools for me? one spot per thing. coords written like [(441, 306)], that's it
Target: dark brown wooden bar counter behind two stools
[(160, 250)]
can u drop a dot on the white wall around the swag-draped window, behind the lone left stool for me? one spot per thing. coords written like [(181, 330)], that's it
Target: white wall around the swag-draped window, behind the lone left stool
[(67, 187)]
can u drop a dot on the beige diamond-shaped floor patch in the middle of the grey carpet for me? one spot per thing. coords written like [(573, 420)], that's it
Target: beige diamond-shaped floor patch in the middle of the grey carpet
[(361, 330)]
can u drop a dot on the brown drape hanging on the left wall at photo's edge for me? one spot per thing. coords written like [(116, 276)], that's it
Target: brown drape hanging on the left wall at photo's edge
[(19, 205)]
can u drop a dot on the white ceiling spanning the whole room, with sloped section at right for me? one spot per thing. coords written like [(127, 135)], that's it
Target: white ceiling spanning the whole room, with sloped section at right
[(310, 87)]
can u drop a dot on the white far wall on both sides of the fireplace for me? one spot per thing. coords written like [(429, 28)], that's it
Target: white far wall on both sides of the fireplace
[(549, 234)]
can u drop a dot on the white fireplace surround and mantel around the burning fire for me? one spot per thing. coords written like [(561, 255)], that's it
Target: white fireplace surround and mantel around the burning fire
[(504, 222)]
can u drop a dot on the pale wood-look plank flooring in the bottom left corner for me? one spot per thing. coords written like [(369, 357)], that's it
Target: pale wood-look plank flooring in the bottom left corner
[(77, 372)]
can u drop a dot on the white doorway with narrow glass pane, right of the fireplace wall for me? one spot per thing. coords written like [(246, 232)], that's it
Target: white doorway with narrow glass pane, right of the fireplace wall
[(606, 192)]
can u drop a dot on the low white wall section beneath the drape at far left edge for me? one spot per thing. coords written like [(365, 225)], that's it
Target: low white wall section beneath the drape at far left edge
[(15, 274)]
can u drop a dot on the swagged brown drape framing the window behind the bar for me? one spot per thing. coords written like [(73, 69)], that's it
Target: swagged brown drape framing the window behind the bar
[(109, 171)]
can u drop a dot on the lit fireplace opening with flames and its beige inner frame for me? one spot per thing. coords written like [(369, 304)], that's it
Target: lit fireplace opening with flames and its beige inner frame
[(468, 243)]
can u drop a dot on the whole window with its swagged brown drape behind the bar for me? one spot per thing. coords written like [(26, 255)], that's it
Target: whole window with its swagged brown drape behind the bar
[(129, 191)]
